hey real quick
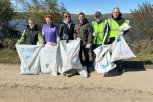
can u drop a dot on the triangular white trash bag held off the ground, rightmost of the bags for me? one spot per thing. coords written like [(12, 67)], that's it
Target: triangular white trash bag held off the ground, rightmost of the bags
[(121, 50)]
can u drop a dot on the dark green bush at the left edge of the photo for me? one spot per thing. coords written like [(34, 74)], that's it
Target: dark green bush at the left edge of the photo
[(6, 15)]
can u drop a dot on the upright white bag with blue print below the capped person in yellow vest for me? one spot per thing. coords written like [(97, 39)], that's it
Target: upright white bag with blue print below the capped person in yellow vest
[(103, 62)]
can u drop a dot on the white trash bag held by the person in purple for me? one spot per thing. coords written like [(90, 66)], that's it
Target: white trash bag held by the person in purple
[(48, 59)]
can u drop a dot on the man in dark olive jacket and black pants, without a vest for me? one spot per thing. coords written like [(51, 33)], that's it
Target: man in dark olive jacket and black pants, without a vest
[(83, 30)]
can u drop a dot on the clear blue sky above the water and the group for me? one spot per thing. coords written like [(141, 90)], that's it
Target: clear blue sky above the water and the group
[(105, 6)]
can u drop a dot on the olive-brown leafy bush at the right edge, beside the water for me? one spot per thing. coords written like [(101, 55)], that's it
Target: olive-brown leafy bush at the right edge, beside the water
[(142, 22)]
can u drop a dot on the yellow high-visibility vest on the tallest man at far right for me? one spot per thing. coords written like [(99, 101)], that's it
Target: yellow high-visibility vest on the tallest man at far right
[(114, 27)]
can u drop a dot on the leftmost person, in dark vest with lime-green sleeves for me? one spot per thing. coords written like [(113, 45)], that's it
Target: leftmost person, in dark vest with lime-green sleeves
[(31, 35)]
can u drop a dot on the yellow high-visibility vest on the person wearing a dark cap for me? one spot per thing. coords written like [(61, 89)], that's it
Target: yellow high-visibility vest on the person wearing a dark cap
[(98, 28)]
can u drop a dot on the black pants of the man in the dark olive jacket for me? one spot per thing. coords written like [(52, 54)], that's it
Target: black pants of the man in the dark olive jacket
[(86, 53)]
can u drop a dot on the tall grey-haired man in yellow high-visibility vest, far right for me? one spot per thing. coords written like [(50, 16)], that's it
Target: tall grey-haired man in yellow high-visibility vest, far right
[(114, 25)]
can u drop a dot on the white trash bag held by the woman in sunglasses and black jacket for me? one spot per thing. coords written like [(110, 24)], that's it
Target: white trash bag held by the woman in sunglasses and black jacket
[(70, 56)]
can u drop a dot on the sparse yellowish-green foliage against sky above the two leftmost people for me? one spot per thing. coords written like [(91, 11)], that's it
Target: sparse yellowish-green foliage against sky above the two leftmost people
[(37, 9)]
